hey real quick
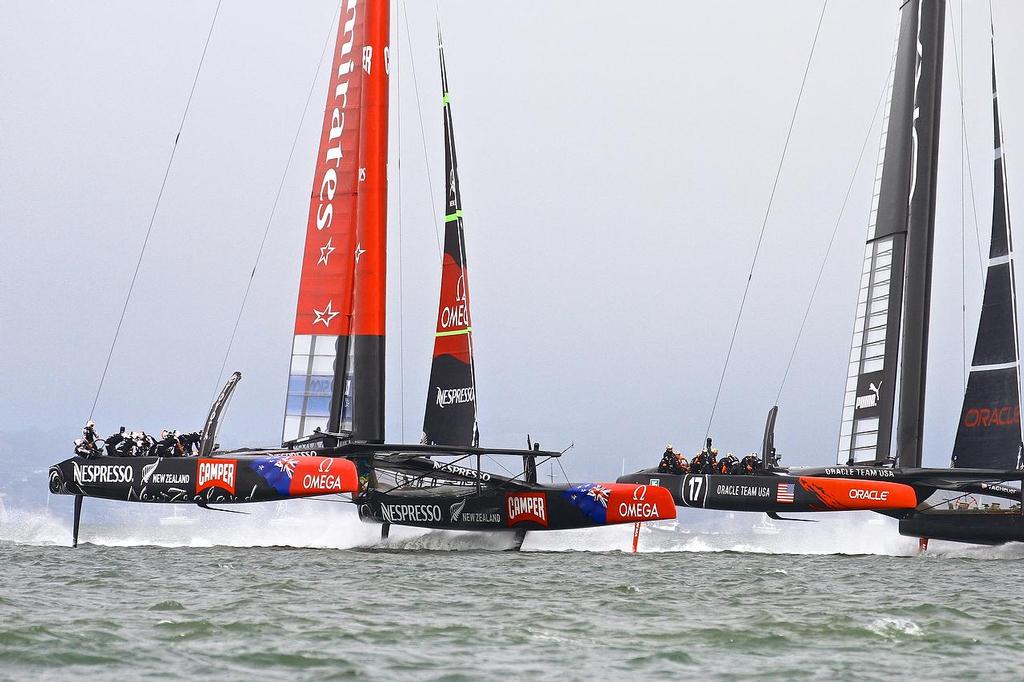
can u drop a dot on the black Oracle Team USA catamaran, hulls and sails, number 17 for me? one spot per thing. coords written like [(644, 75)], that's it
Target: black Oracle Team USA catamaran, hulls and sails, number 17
[(880, 455)]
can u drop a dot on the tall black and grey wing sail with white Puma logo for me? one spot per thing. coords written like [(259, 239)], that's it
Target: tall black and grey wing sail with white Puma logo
[(899, 253)]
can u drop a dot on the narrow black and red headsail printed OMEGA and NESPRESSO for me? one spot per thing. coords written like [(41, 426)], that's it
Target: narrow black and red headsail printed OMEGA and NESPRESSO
[(451, 414)]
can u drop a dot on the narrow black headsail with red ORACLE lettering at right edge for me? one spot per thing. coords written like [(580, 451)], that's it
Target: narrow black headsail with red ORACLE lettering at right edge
[(990, 433)]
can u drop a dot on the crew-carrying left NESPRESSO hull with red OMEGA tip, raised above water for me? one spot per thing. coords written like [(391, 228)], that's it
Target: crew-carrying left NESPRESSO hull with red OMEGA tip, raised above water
[(222, 480)]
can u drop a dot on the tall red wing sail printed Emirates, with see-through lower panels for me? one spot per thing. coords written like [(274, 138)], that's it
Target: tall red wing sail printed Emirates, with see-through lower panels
[(336, 381)]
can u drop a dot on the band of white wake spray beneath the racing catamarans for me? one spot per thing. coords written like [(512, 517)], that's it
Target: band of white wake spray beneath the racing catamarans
[(330, 525)]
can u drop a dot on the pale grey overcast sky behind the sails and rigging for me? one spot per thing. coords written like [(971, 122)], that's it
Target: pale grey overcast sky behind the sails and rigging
[(617, 161)]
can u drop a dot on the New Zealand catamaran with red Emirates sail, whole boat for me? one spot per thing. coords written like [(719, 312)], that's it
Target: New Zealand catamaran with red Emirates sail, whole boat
[(334, 419)]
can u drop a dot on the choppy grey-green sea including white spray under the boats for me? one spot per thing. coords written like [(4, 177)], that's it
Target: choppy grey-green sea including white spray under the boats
[(310, 593)]
